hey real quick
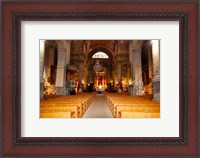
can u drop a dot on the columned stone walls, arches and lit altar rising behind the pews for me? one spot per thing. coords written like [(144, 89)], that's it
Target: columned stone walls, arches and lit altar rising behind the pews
[(68, 67)]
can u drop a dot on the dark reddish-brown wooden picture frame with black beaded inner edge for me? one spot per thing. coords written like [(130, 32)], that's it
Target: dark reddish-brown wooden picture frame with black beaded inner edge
[(188, 142)]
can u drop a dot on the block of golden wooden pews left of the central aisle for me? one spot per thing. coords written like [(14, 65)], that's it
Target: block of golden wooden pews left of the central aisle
[(73, 106)]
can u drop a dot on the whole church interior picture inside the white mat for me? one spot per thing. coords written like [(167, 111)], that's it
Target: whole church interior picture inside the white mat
[(99, 79)]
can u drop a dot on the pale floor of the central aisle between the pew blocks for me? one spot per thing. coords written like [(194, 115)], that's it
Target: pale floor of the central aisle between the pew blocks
[(98, 109)]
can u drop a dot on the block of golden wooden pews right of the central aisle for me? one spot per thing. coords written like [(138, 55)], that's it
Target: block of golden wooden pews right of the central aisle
[(124, 106)]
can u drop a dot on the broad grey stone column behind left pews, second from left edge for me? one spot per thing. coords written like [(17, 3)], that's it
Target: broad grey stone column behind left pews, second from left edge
[(63, 61)]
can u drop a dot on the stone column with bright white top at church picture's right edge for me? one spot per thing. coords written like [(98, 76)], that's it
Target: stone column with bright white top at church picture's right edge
[(156, 69)]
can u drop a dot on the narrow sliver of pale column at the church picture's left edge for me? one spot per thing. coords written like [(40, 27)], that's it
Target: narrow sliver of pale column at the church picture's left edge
[(42, 54)]
